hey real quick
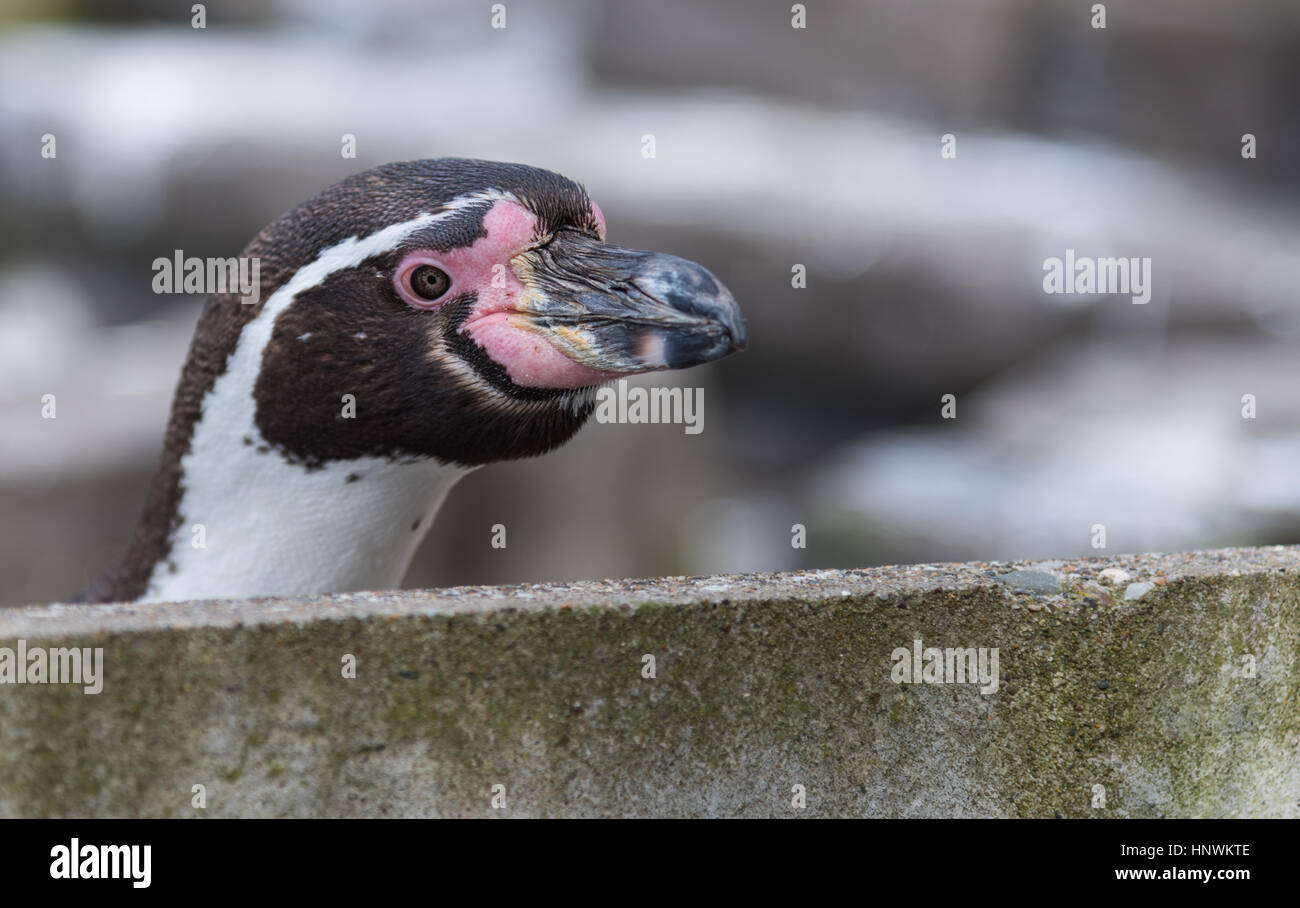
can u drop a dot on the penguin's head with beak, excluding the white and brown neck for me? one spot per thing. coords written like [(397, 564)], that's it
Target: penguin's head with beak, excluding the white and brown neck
[(470, 309)]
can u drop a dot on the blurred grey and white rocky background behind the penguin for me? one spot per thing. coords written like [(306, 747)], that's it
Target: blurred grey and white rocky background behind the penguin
[(774, 146)]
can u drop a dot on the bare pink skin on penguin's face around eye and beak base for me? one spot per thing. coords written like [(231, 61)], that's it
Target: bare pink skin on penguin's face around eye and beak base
[(526, 356)]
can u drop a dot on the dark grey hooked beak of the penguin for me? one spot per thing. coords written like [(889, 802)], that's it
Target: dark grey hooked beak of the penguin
[(621, 310)]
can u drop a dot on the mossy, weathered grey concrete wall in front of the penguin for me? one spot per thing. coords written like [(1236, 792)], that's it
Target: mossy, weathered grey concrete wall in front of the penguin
[(762, 684)]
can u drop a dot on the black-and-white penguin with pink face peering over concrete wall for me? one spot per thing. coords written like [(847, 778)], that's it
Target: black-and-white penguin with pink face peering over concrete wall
[(414, 323)]
